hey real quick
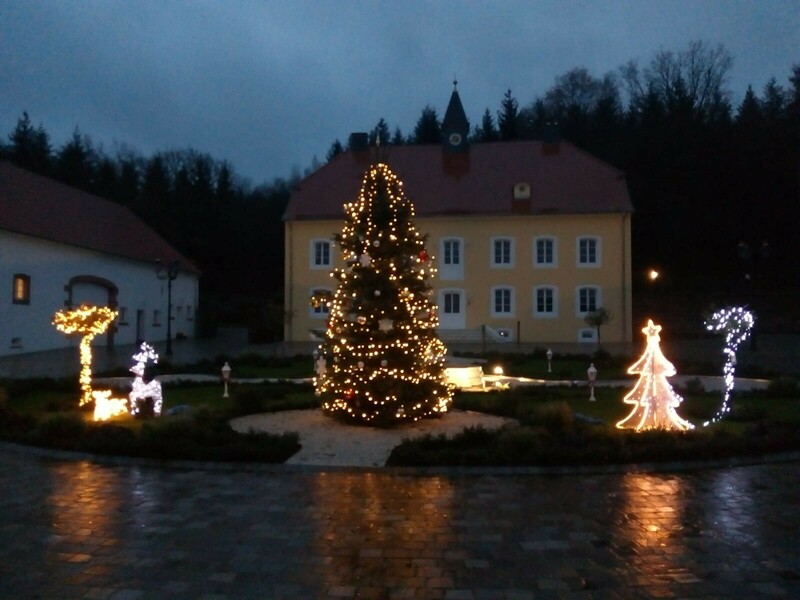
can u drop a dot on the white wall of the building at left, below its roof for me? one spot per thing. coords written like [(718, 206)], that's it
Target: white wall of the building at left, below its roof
[(51, 265)]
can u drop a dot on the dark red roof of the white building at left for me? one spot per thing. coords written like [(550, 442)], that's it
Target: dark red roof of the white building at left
[(34, 205)]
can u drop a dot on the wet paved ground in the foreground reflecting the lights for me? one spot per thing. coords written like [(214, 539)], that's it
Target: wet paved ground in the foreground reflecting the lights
[(130, 530)]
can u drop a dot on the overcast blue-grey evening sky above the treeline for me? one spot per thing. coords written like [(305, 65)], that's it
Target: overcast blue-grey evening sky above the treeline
[(267, 85)]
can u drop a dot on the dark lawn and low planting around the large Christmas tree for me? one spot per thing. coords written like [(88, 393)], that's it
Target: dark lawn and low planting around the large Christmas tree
[(558, 424)]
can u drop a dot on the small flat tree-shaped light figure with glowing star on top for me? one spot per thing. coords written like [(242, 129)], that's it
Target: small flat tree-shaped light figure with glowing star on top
[(653, 398)]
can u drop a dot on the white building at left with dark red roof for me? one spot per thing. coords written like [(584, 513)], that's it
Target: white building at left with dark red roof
[(61, 247)]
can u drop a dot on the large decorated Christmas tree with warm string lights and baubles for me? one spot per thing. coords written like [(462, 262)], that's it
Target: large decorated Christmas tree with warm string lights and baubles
[(381, 362)]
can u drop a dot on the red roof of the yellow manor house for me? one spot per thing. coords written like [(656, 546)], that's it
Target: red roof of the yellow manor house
[(568, 181)]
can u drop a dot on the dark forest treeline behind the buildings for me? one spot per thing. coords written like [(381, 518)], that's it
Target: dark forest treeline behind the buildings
[(705, 176)]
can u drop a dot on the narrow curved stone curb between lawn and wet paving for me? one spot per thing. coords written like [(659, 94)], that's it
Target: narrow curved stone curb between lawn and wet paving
[(280, 469)]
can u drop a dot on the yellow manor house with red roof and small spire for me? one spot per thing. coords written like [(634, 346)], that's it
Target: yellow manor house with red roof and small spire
[(528, 236)]
